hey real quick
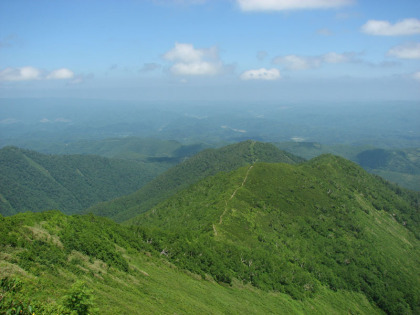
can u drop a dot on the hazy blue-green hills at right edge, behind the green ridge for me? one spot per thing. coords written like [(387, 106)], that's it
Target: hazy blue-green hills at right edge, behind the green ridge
[(400, 166)]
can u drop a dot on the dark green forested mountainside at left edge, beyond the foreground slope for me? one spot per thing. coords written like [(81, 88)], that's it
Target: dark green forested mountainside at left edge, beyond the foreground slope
[(34, 181)]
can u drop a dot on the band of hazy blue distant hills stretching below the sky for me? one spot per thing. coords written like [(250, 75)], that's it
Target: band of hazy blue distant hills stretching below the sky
[(39, 123)]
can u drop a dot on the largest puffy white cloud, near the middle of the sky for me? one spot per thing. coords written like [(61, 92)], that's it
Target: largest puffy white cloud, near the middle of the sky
[(188, 60)]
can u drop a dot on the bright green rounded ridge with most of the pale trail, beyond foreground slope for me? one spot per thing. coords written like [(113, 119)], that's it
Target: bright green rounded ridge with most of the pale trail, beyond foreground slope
[(295, 229)]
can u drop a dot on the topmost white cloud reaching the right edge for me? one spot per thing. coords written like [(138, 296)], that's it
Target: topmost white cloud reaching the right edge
[(385, 28)]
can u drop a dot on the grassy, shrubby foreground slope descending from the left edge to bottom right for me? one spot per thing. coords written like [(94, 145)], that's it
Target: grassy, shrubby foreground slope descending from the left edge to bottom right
[(43, 254)]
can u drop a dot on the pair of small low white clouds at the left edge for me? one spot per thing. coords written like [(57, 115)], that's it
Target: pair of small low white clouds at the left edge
[(31, 73)]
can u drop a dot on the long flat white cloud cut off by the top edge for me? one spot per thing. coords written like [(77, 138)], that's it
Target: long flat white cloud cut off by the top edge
[(279, 5)]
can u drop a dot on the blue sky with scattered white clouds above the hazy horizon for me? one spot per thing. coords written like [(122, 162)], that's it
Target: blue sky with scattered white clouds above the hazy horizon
[(221, 50)]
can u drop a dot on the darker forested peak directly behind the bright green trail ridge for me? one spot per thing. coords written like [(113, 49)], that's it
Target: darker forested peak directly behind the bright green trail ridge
[(206, 163)]
